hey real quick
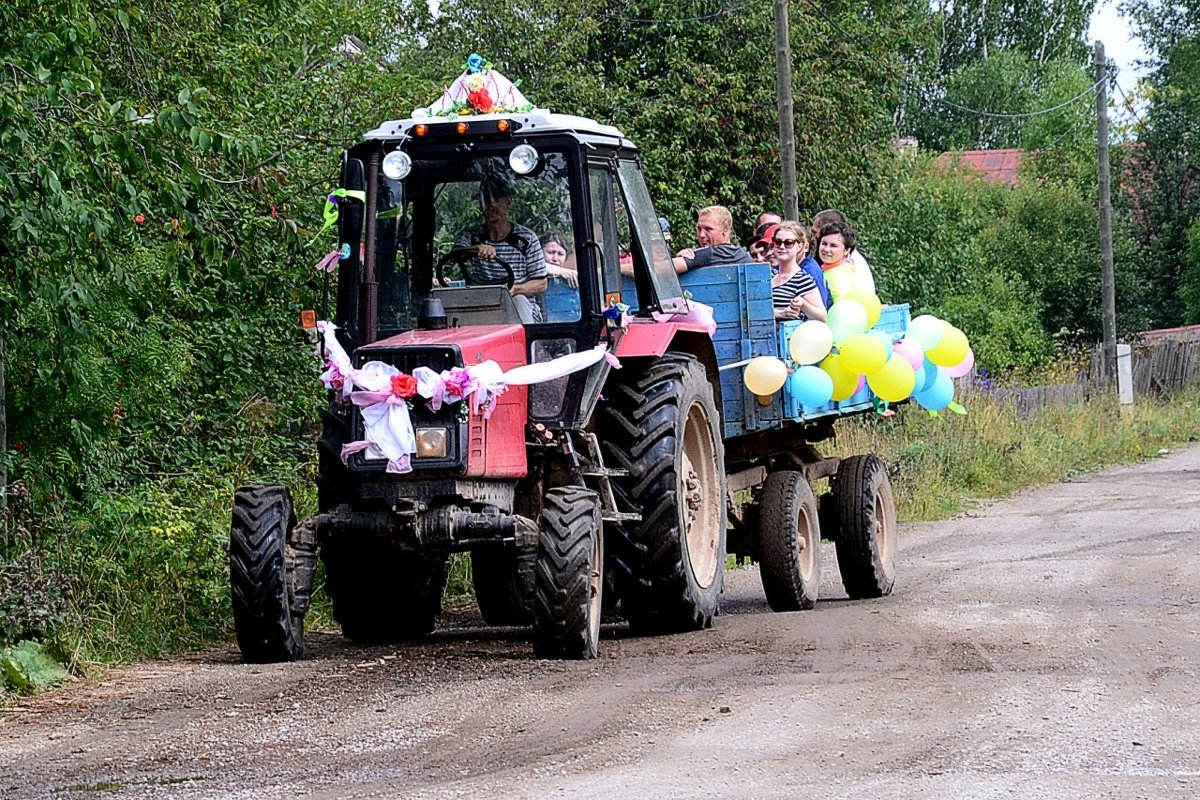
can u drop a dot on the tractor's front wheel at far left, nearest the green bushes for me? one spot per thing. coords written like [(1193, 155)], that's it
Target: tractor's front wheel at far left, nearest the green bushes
[(267, 617)]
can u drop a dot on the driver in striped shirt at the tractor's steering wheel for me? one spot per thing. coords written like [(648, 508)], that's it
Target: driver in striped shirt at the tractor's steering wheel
[(517, 245)]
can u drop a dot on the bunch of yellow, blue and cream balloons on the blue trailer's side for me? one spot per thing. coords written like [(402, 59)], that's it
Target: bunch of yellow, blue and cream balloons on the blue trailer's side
[(835, 359)]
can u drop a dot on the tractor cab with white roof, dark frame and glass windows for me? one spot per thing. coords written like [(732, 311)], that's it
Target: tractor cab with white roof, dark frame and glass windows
[(437, 191)]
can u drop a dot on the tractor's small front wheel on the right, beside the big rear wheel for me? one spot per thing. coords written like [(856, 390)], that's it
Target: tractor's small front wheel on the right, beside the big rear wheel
[(569, 576)]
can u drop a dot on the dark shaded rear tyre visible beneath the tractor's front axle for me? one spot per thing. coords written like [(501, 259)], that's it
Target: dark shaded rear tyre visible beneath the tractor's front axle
[(382, 594)]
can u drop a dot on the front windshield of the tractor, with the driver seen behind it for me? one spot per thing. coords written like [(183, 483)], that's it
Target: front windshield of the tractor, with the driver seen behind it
[(464, 219)]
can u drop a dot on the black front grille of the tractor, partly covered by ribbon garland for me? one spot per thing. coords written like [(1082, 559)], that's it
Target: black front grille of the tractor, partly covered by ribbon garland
[(448, 418)]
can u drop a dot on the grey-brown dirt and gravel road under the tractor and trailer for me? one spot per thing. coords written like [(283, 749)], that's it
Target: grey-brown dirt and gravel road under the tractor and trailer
[(1043, 647)]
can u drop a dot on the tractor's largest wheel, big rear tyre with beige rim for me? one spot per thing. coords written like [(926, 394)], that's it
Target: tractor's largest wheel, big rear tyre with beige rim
[(663, 428)]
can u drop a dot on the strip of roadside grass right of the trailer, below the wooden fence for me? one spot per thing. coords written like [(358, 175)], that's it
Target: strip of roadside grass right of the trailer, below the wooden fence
[(939, 466)]
